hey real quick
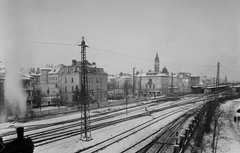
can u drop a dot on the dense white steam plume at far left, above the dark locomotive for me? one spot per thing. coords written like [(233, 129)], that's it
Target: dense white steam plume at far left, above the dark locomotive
[(15, 96)]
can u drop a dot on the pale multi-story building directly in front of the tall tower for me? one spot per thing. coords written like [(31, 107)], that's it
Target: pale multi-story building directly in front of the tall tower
[(152, 83)]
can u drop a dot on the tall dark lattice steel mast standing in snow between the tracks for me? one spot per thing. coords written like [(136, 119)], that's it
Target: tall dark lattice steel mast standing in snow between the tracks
[(85, 109)]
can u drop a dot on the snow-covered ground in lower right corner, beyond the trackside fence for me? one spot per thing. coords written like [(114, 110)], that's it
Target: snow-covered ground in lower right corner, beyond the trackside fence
[(229, 139)]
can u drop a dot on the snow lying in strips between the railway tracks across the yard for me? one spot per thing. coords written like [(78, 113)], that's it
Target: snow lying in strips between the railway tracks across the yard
[(73, 144)]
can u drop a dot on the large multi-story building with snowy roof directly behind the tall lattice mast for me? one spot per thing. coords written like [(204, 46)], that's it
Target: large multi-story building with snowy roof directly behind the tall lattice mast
[(70, 77)]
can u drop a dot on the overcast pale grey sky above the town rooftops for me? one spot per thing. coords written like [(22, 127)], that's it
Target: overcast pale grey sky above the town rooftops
[(189, 35)]
